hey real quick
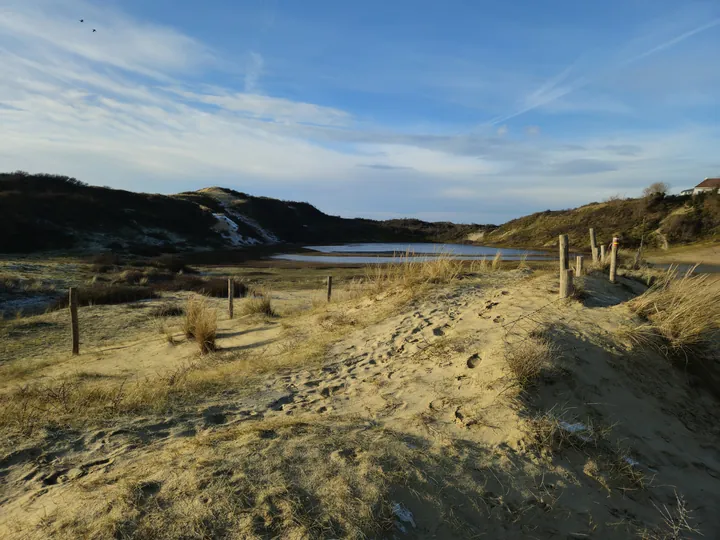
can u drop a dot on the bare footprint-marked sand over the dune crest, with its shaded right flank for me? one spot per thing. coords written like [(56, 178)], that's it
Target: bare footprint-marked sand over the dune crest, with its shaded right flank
[(437, 373)]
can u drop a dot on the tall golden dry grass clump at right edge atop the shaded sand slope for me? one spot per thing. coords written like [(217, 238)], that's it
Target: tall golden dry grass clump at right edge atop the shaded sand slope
[(683, 312)]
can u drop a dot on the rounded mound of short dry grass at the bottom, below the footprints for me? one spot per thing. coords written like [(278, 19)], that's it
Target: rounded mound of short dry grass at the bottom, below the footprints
[(295, 478)]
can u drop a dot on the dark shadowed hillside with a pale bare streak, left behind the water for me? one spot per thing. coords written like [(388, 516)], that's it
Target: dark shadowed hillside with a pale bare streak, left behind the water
[(49, 212)]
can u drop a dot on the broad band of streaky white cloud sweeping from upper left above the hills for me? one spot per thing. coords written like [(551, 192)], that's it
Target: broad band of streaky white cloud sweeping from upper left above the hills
[(119, 108)]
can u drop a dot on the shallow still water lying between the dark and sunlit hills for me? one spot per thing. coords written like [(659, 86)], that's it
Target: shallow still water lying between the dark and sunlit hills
[(394, 252)]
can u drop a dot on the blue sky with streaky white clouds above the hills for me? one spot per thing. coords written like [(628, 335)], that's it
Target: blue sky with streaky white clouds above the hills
[(468, 111)]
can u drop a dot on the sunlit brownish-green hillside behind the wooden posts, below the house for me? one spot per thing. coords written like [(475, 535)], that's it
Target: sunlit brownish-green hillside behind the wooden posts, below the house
[(662, 220)]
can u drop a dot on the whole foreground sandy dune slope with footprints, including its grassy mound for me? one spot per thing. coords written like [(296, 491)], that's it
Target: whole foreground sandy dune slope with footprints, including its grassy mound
[(429, 386)]
